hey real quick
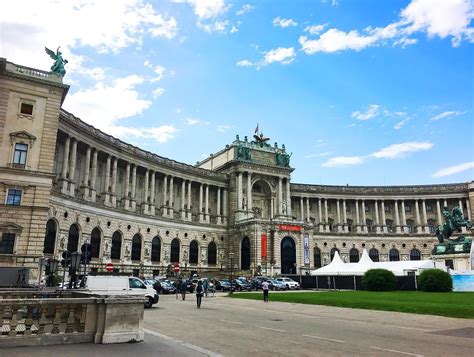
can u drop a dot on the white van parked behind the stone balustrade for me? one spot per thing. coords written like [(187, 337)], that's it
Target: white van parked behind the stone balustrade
[(121, 285)]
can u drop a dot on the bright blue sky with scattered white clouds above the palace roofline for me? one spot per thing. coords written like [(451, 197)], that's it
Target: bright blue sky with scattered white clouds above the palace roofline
[(361, 92)]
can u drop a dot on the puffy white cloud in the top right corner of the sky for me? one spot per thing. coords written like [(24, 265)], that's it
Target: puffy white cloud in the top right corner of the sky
[(440, 18)]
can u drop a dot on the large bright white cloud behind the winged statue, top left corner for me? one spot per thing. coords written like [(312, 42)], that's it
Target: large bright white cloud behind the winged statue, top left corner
[(74, 24)]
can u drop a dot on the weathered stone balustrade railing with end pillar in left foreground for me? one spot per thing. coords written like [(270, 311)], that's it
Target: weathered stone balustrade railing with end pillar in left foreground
[(32, 318)]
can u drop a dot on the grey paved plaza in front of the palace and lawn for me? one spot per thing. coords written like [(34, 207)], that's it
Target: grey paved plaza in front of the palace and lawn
[(234, 327)]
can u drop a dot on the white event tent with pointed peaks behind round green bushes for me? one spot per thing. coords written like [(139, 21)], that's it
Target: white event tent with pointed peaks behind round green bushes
[(338, 267)]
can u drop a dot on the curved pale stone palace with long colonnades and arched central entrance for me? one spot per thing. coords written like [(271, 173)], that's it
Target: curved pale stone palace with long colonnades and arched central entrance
[(64, 183)]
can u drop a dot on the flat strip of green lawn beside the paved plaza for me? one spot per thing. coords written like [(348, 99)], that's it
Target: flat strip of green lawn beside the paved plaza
[(443, 304)]
